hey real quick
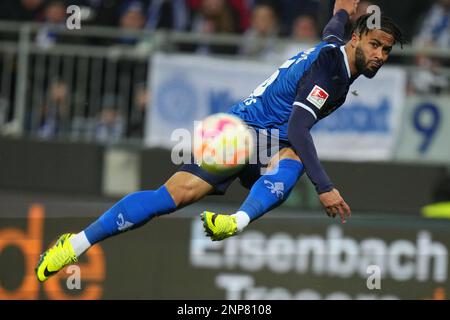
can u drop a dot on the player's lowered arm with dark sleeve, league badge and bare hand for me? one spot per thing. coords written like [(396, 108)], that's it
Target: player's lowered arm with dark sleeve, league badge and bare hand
[(314, 89)]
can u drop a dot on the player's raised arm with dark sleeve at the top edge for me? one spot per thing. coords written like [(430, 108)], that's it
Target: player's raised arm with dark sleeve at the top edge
[(335, 29)]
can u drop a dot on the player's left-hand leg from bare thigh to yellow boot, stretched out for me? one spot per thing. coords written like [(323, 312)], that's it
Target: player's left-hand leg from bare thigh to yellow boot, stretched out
[(129, 213)]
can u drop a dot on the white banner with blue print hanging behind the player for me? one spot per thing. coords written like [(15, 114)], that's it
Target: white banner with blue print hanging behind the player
[(188, 88)]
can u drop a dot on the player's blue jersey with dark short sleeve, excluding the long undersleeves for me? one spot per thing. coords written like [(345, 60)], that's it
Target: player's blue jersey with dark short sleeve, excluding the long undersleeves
[(317, 80)]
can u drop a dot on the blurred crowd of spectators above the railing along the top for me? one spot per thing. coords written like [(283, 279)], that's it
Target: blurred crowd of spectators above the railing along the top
[(424, 21)]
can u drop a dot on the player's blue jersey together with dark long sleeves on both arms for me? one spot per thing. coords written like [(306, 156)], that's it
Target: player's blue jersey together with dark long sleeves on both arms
[(302, 91)]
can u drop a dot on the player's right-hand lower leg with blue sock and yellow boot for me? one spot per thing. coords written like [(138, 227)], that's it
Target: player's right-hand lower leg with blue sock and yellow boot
[(268, 192)]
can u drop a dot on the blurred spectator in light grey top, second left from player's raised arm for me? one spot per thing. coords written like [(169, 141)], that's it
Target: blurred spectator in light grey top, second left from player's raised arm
[(259, 39)]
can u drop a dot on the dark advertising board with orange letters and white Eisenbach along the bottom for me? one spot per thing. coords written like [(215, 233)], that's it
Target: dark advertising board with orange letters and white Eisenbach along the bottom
[(278, 257)]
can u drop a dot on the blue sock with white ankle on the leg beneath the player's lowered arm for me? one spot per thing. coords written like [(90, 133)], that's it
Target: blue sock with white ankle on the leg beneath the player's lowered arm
[(269, 191)]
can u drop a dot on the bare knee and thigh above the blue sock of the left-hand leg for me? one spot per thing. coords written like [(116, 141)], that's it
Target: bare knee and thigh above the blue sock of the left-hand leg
[(186, 188)]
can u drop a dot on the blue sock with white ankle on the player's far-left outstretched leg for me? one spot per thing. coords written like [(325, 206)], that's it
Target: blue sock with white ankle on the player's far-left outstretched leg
[(131, 212)]
